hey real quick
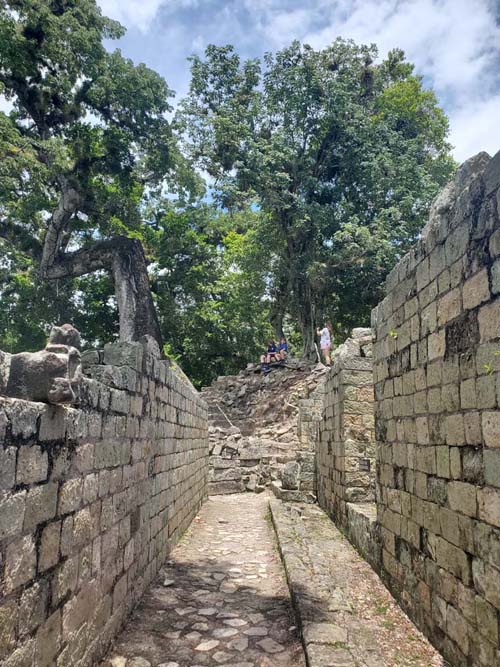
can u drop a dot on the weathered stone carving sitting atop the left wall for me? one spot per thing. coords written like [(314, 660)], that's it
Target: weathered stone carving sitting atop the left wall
[(52, 375)]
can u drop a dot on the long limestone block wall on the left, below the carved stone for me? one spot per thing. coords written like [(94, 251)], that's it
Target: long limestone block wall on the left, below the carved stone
[(92, 498)]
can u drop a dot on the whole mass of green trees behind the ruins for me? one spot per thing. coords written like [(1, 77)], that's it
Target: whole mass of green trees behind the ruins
[(280, 193)]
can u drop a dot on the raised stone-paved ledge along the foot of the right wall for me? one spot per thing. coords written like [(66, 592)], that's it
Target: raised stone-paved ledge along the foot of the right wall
[(348, 617)]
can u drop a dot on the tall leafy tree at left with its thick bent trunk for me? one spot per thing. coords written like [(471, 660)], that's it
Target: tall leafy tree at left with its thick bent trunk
[(86, 137)]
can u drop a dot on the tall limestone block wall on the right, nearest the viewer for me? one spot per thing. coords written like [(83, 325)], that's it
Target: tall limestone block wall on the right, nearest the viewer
[(437, 381)]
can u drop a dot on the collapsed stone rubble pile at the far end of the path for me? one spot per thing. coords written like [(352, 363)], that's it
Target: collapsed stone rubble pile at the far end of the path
[(253, 426)]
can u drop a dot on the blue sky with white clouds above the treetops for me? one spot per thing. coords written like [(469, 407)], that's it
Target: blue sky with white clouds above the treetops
[(454, 44)]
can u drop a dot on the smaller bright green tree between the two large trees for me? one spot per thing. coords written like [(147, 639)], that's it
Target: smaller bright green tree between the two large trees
[(211, 280)]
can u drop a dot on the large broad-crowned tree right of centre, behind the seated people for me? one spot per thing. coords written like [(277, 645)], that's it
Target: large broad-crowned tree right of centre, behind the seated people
[(343, 153)]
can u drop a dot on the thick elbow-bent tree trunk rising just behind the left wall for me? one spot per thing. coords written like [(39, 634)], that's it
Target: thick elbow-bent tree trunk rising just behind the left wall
[(125, 259)]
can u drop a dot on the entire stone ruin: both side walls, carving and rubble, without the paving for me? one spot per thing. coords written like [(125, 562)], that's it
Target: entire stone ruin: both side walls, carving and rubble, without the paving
[(101, 474)]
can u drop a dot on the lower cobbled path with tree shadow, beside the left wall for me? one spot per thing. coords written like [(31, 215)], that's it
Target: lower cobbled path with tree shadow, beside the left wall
[(221, 600)]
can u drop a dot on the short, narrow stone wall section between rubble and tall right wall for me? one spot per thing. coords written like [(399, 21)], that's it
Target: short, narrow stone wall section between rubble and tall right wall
[(345, 446)]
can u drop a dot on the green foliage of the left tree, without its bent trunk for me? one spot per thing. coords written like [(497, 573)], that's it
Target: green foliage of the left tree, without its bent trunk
[(84, 121)]
